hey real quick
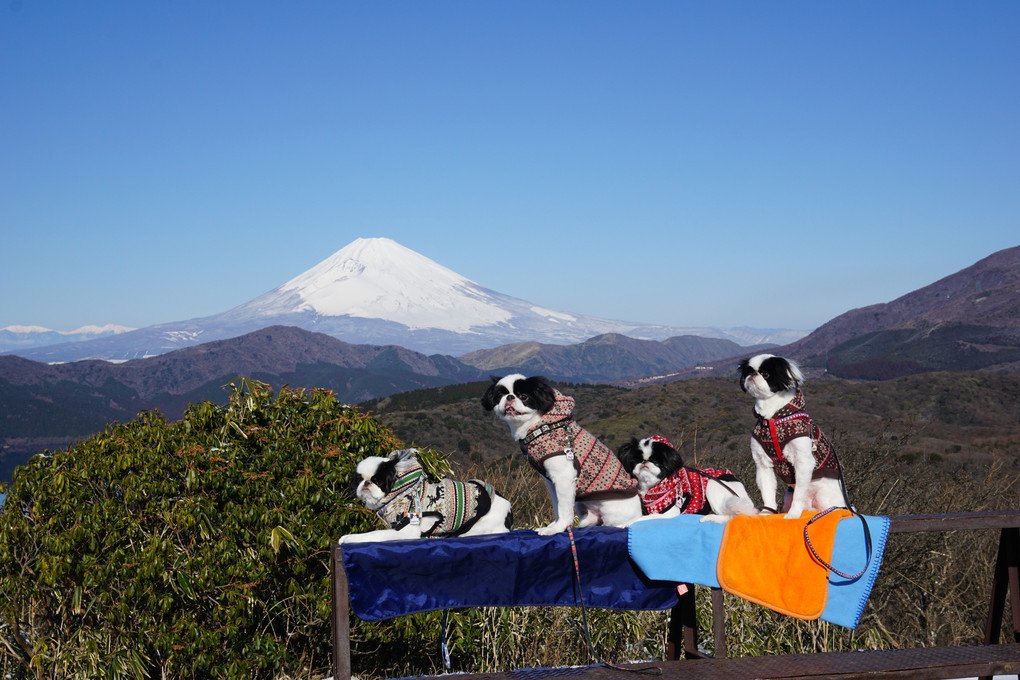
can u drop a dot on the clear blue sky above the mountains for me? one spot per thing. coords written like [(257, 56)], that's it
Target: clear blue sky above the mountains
[(686, 164)]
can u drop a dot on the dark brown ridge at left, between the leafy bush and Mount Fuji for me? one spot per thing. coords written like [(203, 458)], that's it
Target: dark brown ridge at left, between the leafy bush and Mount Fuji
[(50, 406)]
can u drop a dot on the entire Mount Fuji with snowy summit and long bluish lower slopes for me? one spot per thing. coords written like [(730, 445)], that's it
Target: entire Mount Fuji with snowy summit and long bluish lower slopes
[(377, 292)]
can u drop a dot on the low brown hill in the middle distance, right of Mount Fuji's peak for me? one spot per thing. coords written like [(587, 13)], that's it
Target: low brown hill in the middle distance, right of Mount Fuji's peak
[(604, 358)]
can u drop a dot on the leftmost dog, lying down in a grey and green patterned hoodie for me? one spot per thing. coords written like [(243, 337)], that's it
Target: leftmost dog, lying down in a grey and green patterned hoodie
[(397, 490)]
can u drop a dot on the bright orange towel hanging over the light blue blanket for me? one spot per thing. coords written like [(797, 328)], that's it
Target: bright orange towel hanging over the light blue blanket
[(767, 560)]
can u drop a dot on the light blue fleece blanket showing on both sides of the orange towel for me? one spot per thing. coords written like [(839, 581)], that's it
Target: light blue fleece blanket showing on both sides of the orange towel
[(685, 550)]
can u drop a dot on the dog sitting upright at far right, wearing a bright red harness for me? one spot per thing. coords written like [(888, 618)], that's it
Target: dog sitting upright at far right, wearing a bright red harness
[(786, 442)]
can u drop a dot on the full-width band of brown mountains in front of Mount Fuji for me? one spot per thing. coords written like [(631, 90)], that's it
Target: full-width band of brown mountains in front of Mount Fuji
[(970, 321)]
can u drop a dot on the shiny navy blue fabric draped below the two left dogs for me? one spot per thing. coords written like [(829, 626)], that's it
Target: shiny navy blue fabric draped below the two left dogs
[(518, 569)]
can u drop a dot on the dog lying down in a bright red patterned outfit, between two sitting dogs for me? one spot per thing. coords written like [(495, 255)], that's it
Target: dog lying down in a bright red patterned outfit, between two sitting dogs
[(670, 489)]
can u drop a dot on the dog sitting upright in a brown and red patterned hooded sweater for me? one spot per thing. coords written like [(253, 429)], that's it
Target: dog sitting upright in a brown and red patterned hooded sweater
[(578, 468)]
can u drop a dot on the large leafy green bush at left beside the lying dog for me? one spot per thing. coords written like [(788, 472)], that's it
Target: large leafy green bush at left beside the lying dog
[(197, 549)]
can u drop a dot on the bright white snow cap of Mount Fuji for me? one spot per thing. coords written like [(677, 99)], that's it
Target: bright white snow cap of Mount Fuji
[(379, 279)]
